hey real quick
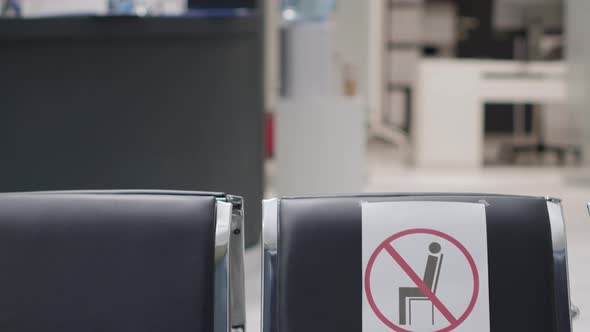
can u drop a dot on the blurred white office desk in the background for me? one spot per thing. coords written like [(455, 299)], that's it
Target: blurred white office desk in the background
[(448, 126)]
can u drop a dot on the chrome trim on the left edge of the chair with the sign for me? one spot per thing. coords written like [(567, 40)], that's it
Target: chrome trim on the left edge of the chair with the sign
[(270, 231)]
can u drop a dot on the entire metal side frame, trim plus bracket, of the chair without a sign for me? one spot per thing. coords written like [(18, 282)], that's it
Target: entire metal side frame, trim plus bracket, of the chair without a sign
[(229, 294)]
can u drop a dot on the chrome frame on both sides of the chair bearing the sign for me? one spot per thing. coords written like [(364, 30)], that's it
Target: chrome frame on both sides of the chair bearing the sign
[(564, 314)]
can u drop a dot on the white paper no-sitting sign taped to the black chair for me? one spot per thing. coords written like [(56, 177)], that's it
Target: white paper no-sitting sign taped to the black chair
[(425, 267)]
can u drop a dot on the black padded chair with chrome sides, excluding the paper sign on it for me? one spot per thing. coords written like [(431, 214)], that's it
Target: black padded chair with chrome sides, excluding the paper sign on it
[(312, 262)]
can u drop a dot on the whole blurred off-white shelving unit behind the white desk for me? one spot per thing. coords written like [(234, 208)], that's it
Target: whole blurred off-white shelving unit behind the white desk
[(399, 30)]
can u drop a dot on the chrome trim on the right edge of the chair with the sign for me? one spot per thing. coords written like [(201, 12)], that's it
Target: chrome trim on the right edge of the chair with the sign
[(563, 314)]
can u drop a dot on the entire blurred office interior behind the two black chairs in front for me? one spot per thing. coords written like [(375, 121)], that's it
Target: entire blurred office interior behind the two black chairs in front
[(297, 97)]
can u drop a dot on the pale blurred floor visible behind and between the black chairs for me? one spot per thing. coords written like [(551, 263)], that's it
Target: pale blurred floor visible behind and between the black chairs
[(386, 174)]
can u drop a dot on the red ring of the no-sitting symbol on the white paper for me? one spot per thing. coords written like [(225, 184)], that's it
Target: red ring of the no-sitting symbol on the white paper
[(447, 237)]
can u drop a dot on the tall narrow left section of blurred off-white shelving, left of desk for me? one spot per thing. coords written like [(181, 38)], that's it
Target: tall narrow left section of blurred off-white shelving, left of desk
[(395, 49)]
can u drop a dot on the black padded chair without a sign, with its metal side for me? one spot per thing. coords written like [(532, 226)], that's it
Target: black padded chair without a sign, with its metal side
[(121, 261)]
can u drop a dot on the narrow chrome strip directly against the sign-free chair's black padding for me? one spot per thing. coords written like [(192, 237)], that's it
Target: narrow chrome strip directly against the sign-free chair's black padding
[(221, 308)]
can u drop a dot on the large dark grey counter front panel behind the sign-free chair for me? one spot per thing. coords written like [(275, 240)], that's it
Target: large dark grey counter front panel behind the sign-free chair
[(89, 103)]
